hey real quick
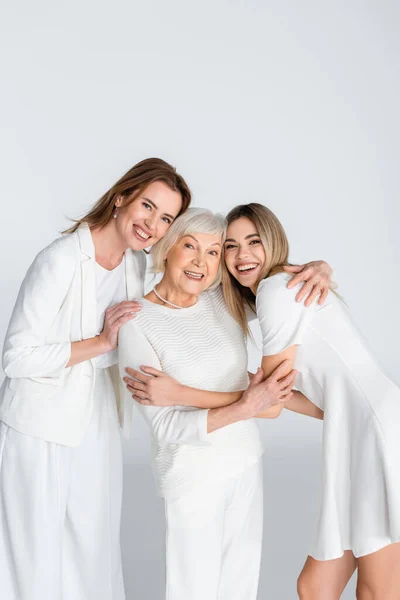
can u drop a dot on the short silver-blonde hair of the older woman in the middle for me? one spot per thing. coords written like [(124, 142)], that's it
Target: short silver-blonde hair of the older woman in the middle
[(194, 220)]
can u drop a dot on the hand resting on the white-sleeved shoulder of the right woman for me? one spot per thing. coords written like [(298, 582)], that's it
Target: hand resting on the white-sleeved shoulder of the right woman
[(317, 277)]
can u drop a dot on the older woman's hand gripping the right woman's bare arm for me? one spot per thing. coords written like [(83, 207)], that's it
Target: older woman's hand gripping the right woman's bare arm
[(262, 394)]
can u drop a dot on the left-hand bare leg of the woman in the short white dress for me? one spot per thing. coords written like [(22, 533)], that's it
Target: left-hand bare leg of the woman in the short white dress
[(325, 580)]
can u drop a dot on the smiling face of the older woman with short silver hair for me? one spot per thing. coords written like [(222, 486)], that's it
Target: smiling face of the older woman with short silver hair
[(193, 262)]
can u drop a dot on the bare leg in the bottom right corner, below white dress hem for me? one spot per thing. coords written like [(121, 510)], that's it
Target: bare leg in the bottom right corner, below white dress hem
[(379, 574)]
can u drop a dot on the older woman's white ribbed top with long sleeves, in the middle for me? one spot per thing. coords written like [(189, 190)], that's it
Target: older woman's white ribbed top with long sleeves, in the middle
[(203, 347)]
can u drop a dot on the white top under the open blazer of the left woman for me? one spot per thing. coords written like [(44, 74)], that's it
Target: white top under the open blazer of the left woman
[(110, 290)]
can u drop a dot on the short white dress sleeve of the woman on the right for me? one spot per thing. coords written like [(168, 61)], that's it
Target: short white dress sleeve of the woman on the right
[(283, 321)]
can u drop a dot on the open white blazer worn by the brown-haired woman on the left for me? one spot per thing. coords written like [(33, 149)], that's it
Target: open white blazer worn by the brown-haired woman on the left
[(57, 305)]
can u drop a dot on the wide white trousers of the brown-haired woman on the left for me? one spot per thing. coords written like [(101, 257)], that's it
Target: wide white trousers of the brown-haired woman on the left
[(60, 511)]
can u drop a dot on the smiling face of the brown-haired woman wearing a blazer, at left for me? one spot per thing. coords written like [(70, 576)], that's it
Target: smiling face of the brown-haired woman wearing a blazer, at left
[(143, 222)]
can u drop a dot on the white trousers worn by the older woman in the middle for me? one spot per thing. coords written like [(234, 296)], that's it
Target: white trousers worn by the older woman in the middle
[(214, 539)]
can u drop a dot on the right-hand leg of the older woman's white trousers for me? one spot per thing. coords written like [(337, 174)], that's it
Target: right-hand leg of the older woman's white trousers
[(242, 538)]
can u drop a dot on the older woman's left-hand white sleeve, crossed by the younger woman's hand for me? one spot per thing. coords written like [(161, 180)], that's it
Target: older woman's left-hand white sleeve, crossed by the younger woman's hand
[(171, 424)]
